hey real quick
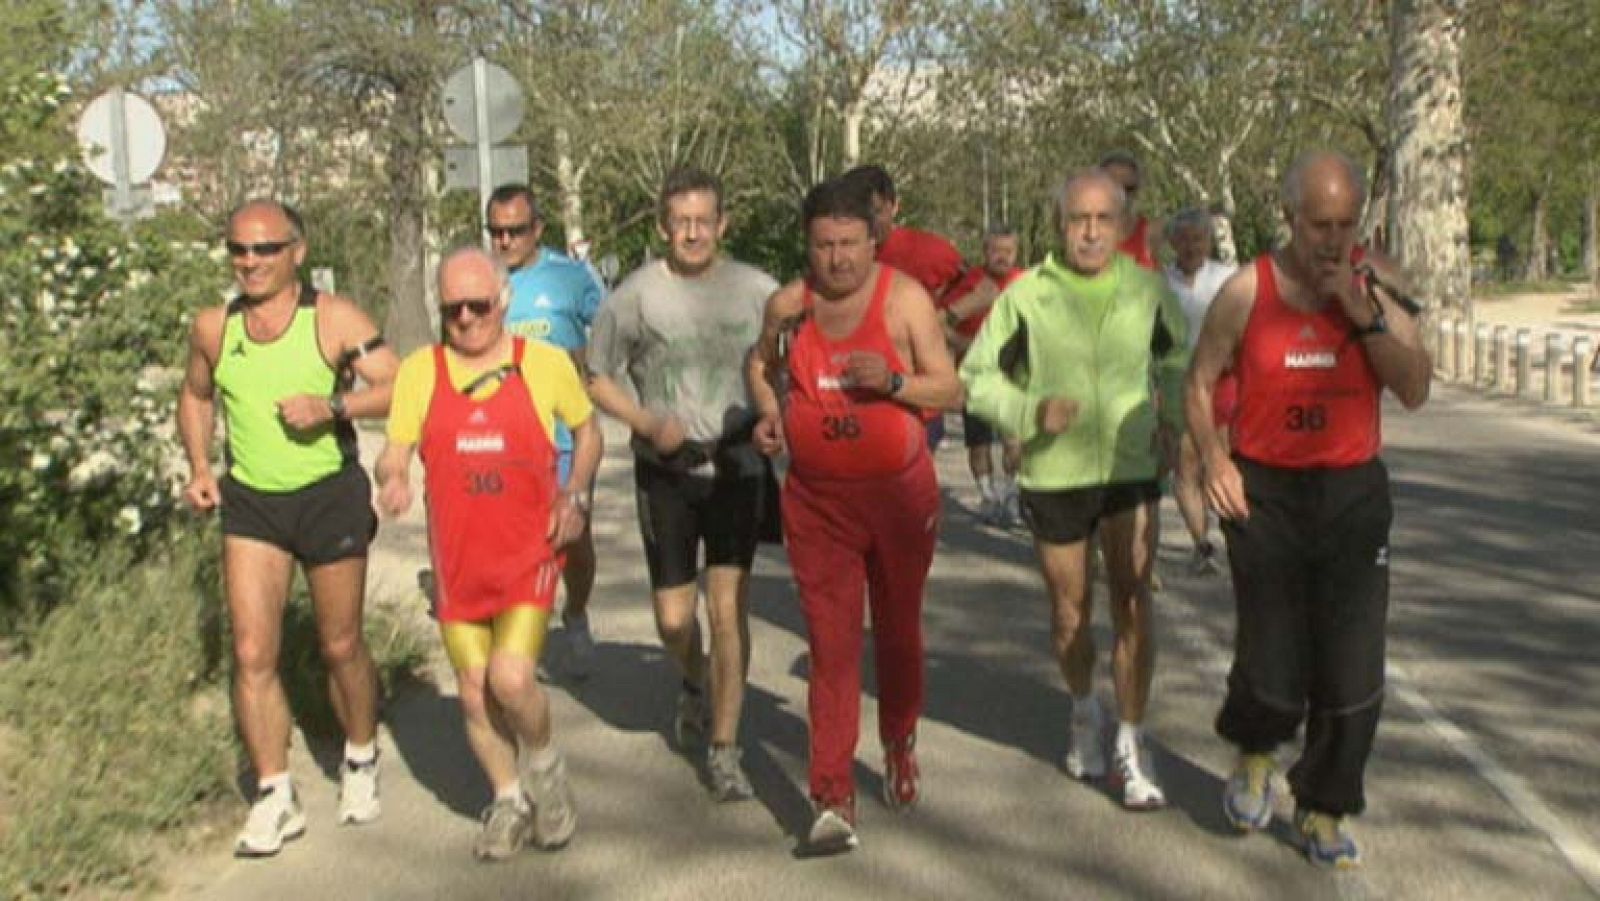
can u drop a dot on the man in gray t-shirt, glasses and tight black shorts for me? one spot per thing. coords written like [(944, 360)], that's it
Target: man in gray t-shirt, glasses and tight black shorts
[(681, 329)]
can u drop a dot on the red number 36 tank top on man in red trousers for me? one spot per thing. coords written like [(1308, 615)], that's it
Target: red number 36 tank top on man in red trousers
[(838, 431)]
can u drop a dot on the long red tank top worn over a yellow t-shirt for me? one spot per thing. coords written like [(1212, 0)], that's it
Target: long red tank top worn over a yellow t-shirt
[(490, 491)]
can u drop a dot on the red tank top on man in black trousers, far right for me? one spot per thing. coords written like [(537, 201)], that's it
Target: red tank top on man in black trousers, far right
[(1308, 394)]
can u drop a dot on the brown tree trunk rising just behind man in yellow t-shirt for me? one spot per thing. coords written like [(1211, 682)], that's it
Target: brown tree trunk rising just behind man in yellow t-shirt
[(409, 326)]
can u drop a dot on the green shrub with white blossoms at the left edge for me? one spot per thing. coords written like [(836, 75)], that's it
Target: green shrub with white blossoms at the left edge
[(94, 326)]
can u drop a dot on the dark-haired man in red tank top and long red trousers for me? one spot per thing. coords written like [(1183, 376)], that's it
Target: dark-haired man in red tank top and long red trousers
[(847, 359)]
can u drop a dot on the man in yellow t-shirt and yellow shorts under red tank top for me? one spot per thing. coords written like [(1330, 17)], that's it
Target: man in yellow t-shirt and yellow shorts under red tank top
[(482, 412)]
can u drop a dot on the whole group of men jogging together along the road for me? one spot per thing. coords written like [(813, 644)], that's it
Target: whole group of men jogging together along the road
[(1095, 372)]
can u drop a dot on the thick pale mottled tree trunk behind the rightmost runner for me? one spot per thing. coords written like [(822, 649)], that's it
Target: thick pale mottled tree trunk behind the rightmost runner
[(1428, 202)]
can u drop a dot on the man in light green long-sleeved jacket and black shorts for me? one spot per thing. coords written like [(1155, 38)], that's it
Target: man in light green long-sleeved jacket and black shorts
[(1084, 361)]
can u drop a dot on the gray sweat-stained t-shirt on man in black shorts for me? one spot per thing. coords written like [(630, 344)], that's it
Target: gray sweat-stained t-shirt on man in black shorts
[(684, 342)]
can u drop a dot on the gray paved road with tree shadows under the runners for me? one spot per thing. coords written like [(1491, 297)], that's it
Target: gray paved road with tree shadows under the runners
[(1484, 766)]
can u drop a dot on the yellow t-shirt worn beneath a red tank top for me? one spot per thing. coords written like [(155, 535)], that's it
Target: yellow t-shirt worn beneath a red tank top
[(550, 372)]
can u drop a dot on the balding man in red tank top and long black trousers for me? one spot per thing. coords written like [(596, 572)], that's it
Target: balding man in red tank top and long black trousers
[(1305, 500)]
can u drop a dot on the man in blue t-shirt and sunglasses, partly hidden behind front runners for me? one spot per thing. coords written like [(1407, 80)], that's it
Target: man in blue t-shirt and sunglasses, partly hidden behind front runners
[(553, 300)]
